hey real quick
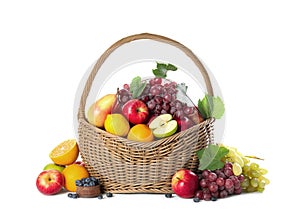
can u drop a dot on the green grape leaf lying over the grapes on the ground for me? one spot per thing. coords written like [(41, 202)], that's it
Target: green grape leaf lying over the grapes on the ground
[(210, 157)]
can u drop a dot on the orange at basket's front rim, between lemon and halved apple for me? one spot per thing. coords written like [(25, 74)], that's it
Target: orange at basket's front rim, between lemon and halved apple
[(140, 133)]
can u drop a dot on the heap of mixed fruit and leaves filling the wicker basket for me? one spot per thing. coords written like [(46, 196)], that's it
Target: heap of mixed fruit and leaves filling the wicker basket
[(148, 109)]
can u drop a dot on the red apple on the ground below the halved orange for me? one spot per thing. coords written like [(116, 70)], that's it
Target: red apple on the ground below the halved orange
[(50, 182)]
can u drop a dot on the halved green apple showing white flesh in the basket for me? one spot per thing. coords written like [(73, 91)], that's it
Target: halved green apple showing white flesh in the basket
[(163, 126)]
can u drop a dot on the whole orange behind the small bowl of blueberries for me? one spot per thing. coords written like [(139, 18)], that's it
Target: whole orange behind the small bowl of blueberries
[(72, 173)]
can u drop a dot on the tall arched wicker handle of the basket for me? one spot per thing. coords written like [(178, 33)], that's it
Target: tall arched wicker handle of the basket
[(105, 55)]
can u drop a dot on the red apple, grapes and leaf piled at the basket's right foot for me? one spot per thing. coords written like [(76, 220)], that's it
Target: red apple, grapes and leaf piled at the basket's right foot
[(218, 176)]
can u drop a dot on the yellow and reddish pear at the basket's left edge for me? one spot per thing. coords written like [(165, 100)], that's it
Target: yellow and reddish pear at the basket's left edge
[(98, 111)]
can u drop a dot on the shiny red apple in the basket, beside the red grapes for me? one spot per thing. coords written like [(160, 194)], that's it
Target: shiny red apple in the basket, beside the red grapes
[(136, 111)]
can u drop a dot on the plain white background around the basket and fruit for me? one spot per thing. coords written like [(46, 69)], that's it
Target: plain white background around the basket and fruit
[(252, 48)]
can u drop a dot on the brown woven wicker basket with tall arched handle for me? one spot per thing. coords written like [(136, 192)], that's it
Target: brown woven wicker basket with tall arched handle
[(124, 166)]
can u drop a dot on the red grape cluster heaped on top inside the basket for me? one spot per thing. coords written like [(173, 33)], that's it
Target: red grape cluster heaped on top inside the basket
[(160, 97)]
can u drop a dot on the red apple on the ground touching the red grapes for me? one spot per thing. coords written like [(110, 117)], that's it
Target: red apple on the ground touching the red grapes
[(185, 183)]
